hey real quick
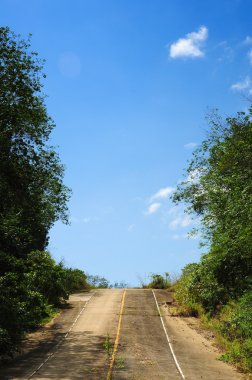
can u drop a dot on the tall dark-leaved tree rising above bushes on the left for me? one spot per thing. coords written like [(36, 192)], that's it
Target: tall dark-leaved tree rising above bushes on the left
[(32, 193)]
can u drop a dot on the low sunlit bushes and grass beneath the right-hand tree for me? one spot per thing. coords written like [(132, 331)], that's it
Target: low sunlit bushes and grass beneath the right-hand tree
[(199, 294)]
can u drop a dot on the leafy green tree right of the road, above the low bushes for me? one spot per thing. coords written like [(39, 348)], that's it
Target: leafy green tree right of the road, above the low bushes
[(218, 189)]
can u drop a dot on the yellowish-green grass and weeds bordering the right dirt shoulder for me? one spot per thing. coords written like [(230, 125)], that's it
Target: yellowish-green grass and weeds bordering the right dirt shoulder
[(231, 325)]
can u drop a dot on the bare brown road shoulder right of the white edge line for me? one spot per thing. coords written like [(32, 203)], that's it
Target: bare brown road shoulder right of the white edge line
[(196, 353)]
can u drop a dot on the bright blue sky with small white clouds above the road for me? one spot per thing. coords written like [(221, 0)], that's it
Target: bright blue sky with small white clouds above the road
[(129, 84)]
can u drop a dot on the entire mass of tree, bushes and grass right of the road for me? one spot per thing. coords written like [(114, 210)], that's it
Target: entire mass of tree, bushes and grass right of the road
[(218, 191)]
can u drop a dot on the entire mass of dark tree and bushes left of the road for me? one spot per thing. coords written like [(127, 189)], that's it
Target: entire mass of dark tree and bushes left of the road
[(32, 198)]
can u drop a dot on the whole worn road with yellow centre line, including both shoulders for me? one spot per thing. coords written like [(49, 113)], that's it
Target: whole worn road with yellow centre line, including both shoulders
[(73, 348)]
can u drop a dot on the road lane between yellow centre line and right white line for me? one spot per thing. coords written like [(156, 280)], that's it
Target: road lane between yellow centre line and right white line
[(143, 349)]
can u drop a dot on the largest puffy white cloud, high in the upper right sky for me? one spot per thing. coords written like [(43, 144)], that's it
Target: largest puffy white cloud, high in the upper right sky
[(190, 46)]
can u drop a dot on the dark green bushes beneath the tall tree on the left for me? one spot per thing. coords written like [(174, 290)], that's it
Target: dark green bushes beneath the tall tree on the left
[(30, 289)]
